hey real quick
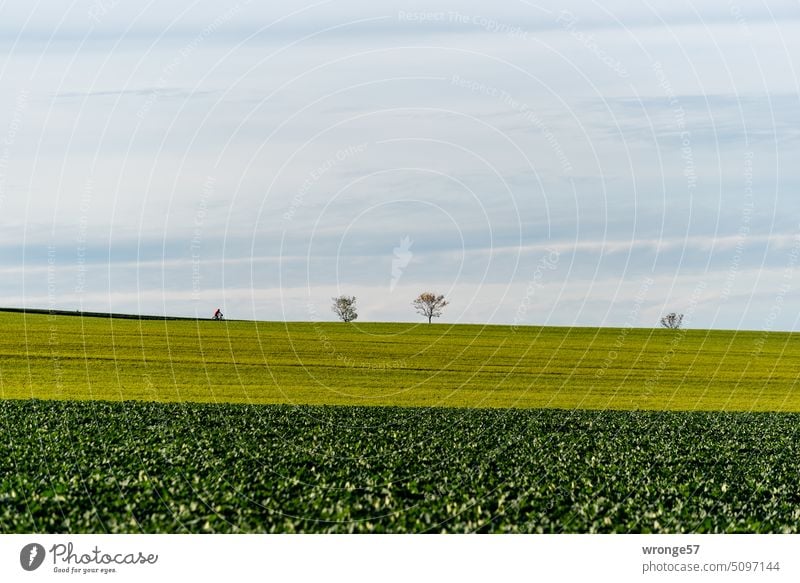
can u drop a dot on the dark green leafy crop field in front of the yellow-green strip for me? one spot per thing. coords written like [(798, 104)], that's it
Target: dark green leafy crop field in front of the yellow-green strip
[(150, 467)]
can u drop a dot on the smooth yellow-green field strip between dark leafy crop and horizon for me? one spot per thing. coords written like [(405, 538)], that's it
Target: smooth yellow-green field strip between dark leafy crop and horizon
[(68, 357)]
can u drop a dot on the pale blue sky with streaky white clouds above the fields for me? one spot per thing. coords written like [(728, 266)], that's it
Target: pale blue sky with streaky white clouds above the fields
[(557, 163)]
